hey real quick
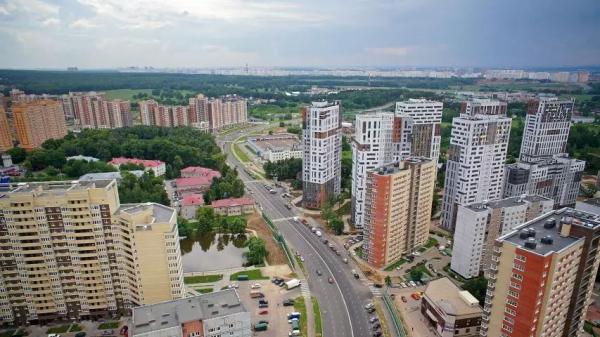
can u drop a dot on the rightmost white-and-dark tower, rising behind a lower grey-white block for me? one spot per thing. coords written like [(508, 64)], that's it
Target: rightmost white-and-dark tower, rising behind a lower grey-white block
[(546, 129)]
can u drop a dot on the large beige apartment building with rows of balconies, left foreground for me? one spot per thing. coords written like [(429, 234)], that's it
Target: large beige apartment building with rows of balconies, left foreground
[(70, 251)]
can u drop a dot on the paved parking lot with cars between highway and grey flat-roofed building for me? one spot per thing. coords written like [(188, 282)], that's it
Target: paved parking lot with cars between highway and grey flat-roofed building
[(277, 313)]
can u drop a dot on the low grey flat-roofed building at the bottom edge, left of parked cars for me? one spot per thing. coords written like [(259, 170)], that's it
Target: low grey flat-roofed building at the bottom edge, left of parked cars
[(216, 314)]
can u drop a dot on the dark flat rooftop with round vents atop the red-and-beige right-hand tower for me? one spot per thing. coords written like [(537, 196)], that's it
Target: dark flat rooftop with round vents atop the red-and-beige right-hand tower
[(542, 235)]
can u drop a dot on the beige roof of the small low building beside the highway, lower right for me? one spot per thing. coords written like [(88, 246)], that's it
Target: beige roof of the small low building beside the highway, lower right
[(453, 301)]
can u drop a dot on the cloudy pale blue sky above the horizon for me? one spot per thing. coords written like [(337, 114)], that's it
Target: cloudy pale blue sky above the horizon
[(322, 33)]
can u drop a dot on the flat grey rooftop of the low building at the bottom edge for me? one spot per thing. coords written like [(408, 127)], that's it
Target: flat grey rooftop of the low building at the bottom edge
[(173, 313)]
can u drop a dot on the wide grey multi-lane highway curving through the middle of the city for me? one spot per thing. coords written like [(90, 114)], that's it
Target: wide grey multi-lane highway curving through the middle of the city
[(342, 303)]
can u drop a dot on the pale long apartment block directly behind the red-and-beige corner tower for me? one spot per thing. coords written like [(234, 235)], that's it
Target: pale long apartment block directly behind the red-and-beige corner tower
[(479, 225)]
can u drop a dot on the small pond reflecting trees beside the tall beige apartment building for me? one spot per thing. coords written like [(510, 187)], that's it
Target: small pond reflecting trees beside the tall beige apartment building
[(212, 251)]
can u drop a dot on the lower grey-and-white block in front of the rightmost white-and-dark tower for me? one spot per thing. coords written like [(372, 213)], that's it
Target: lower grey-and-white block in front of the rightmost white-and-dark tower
[(557, 178)]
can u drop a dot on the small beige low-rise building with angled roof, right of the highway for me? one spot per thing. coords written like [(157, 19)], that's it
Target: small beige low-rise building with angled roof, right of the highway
[(451, 311)]
